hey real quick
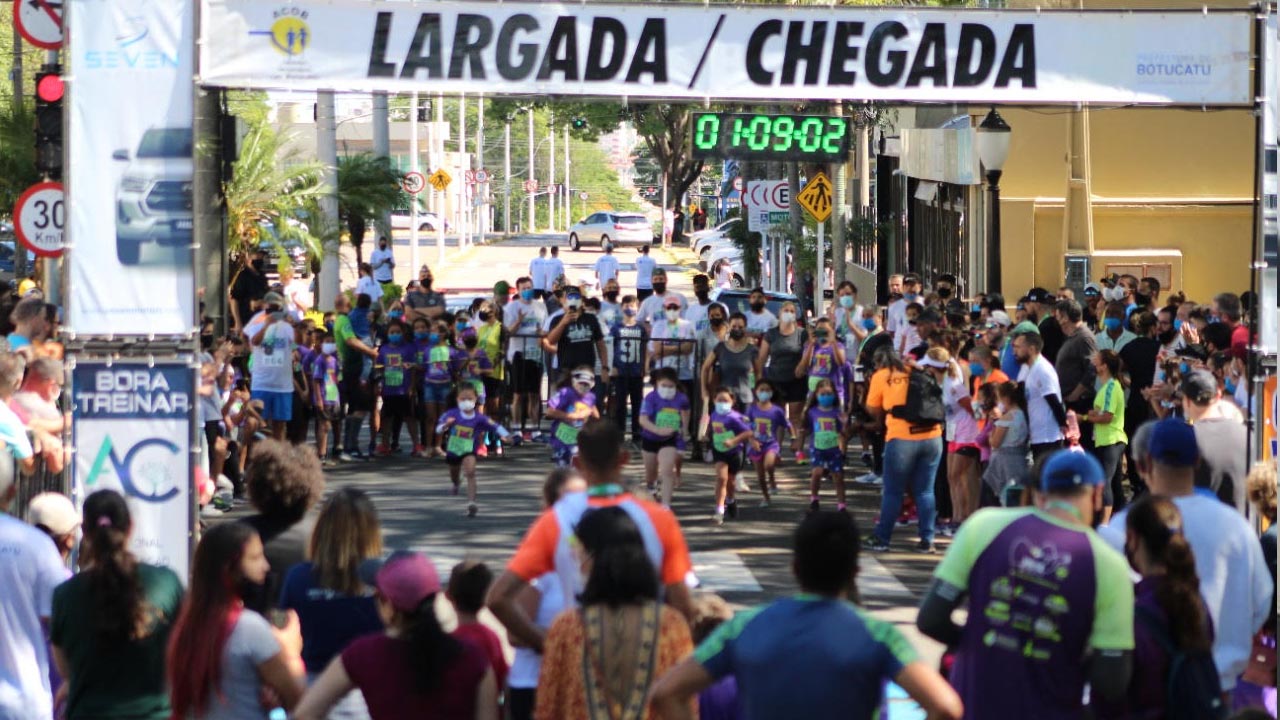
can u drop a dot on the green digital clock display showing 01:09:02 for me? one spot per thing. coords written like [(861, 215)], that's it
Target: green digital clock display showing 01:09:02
[(771, 138)]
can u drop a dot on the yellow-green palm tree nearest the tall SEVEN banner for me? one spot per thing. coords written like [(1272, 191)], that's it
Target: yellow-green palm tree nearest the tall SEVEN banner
[(272, 186)]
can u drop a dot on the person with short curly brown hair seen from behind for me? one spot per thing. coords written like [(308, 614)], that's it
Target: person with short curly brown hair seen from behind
[(285, 482)]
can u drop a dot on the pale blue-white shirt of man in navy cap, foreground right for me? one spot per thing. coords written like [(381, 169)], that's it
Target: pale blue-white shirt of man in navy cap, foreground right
[(1235, 578)]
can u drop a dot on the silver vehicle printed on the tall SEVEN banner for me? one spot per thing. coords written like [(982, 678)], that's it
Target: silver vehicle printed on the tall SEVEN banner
[(154, 198)]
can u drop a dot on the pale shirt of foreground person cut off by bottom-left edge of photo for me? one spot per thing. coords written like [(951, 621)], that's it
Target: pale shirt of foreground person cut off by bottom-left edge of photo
[(30, 571)]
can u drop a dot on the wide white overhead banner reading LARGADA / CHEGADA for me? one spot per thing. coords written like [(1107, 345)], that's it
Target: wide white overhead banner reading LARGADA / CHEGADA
[(703, 52)]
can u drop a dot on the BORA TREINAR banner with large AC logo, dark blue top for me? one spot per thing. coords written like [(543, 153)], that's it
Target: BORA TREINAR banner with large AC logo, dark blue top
[(132, 434)]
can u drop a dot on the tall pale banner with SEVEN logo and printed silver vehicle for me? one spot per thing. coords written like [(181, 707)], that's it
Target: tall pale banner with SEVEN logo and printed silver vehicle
[(130, 172)]
